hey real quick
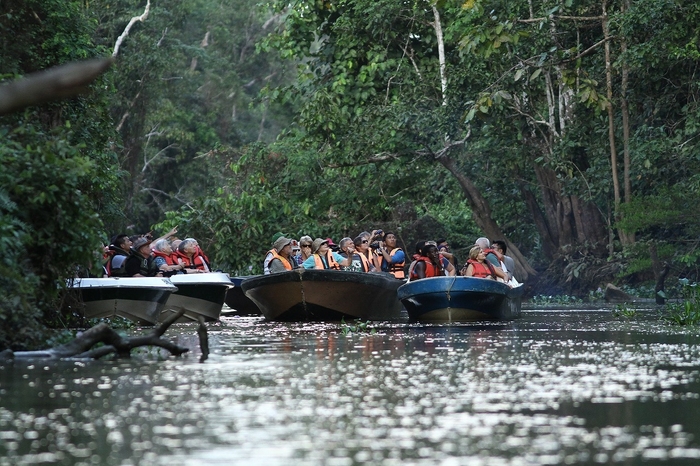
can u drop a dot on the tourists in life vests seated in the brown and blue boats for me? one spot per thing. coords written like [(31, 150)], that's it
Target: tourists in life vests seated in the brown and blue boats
[(377, 252)]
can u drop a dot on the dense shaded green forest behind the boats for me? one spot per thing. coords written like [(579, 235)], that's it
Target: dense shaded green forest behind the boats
[(568, 128)]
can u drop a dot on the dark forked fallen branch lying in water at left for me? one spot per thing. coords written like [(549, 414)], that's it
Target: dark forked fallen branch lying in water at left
[(82, 346)]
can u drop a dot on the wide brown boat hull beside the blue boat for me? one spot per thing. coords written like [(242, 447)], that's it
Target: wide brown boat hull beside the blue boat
[(325, 295)]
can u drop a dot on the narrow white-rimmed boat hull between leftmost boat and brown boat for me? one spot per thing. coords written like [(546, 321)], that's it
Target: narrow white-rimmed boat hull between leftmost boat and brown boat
[(201, 294)]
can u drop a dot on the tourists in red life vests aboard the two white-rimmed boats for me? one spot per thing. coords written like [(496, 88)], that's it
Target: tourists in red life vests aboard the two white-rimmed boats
[(143, 256)]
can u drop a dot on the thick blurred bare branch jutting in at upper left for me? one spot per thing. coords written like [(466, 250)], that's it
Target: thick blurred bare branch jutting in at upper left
[(55, 83)]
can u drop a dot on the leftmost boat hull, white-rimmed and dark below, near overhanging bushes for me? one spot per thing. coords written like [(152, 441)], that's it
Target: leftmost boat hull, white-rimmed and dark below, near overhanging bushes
[(139, 299)]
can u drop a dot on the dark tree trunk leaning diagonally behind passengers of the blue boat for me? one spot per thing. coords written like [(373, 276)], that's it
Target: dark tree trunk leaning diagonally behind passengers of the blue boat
[(482, 216)]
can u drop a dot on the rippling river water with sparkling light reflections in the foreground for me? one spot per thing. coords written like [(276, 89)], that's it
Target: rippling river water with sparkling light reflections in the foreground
[(554, 387)]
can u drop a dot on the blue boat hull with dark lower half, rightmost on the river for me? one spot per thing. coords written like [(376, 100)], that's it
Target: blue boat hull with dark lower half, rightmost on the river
[(459, 299)]
